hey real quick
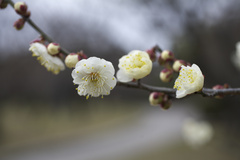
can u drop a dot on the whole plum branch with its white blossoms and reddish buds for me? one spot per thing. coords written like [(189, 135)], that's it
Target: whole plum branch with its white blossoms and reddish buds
[(95, 76)]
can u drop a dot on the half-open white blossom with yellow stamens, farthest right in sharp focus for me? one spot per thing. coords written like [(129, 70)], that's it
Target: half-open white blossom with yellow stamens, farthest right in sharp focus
[(190, 80)]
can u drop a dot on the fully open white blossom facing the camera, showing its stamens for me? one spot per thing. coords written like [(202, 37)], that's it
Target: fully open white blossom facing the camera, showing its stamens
[(94, 77)]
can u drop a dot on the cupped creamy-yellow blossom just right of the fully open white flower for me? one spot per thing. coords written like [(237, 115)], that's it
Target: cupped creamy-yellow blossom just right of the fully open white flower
[(136, 65)]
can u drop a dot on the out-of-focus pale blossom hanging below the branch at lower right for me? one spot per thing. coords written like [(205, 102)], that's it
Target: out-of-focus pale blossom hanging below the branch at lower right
[(196, 134)]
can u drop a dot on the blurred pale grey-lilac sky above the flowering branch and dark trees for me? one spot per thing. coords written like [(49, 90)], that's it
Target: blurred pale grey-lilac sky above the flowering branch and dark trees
[(127, 24)]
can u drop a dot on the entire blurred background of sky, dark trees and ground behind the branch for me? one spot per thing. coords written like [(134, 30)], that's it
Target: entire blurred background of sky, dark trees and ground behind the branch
[(42, 117)]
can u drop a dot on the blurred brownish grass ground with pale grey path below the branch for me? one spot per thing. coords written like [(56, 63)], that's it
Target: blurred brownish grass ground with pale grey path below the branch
[(101, 132)]
